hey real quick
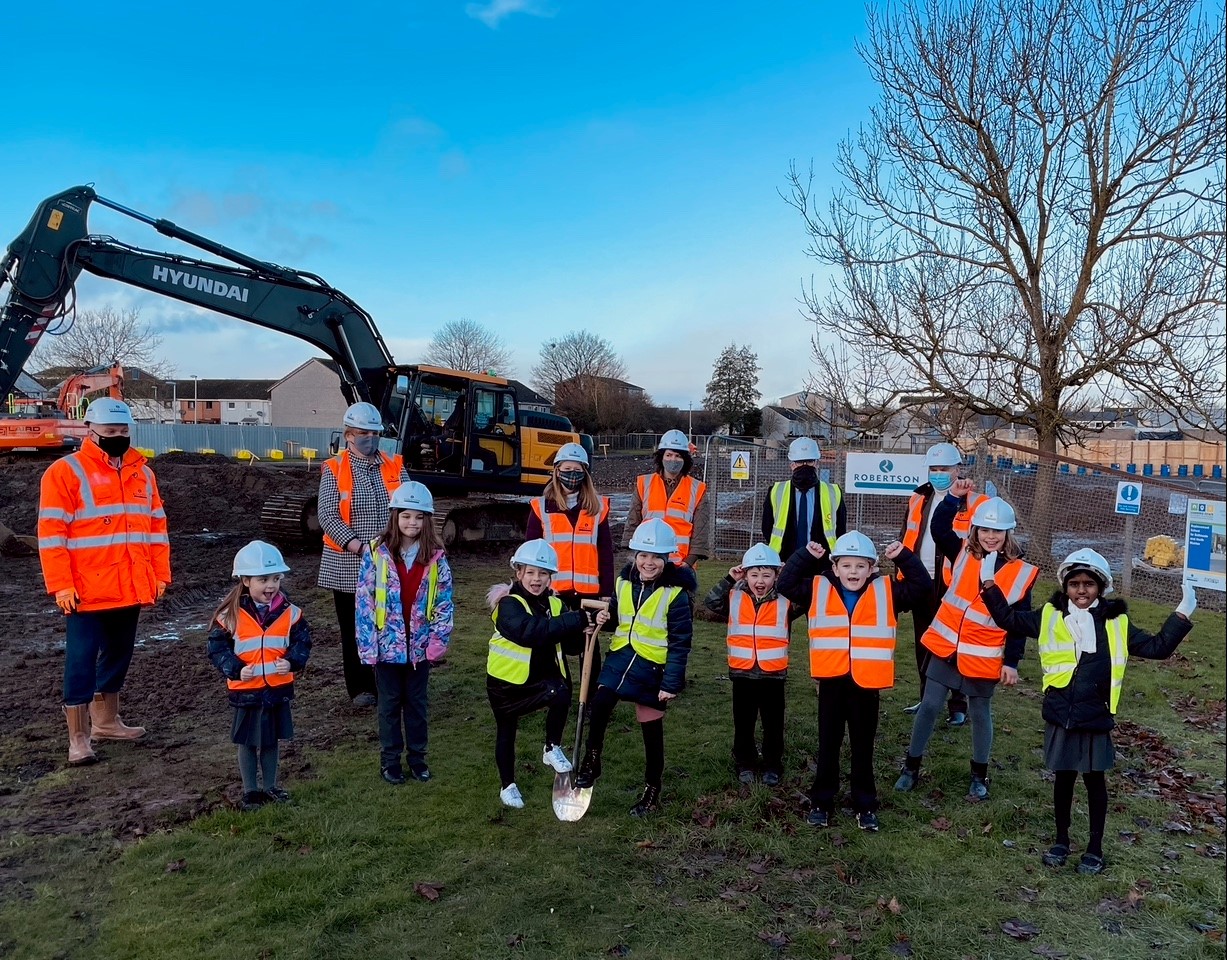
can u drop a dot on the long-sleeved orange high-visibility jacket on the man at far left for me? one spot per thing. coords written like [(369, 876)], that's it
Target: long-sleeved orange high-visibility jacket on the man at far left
[(101, 531)]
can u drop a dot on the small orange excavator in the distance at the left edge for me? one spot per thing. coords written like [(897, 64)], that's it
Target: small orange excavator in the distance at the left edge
[(30, 428)]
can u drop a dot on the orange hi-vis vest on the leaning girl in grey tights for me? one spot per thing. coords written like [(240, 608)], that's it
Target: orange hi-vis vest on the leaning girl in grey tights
[(964, 623)]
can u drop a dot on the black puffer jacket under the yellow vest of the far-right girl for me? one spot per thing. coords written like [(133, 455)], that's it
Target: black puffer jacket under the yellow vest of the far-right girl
[(1084, 704)]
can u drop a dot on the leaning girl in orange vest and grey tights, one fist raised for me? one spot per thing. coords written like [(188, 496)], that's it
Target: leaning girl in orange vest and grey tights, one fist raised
[(971, 654)]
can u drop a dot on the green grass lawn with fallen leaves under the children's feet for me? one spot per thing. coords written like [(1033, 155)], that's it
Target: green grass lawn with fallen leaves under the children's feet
[(356, 869)]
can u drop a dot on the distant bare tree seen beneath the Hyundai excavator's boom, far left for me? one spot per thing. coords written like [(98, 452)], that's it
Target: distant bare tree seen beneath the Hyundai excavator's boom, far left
[(101, 337)]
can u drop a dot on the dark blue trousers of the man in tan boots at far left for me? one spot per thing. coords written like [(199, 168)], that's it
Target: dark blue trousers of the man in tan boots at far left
[(98, 652)]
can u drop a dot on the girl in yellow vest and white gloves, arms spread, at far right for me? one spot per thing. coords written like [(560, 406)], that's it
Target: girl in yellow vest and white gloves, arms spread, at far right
[(1085, 645)]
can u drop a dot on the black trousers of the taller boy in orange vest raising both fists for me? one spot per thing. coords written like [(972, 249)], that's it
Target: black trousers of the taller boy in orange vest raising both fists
[(844, 705)]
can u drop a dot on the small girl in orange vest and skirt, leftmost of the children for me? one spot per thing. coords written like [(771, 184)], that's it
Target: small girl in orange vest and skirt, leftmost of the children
[(258, 643)]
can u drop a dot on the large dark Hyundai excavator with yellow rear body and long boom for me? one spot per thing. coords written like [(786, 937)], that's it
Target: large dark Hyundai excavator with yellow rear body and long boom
[(461, 434)]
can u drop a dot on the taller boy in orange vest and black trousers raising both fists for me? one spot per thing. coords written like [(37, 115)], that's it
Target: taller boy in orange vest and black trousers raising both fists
[(852, 625)]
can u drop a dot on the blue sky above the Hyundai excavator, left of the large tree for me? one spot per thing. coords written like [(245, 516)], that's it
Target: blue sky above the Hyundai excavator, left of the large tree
[(539, 168)]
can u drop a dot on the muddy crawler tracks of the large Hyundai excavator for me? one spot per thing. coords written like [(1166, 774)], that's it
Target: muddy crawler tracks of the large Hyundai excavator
[(294, 521)]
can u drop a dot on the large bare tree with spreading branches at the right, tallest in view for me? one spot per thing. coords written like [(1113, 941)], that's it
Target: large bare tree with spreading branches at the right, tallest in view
[(1034, 218)]
